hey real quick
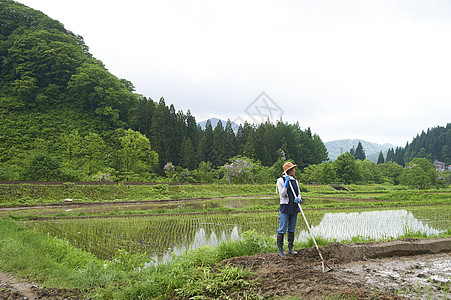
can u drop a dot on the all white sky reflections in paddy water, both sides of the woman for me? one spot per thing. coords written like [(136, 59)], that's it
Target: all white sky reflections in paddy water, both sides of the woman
[(333, 226)]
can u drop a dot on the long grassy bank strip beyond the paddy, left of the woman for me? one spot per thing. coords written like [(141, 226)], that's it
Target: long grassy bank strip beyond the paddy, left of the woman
[(29, 194)]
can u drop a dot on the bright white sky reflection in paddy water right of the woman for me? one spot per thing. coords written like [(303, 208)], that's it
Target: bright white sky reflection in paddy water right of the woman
[(367, 224)]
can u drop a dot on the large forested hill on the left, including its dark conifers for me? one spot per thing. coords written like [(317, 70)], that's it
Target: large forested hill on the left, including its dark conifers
[(62, 110)]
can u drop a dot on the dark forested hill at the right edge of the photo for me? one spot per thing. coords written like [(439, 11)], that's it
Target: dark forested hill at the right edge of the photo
[(434, 144)]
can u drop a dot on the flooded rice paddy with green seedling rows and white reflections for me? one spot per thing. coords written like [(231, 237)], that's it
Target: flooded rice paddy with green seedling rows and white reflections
[(159, 236)]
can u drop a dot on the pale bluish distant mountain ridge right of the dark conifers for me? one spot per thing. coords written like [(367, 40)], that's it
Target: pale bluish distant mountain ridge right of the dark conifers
[(372, 150)]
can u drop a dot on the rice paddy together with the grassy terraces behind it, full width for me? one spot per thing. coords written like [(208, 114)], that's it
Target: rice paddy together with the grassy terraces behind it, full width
[(160, 228)]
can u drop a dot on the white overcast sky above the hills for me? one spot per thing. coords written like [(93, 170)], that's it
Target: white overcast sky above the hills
[(373, 70)]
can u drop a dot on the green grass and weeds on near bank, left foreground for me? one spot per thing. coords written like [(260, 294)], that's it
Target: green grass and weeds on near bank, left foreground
[(53, 262)]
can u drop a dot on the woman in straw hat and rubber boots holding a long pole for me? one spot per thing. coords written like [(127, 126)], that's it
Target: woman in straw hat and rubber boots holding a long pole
[(289, 209)]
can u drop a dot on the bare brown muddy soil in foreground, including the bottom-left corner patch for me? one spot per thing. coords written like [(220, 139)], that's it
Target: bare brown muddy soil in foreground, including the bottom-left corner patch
[(402, 269)]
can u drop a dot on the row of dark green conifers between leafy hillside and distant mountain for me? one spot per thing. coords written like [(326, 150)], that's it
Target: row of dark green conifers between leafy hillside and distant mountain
[(177, 138)]
